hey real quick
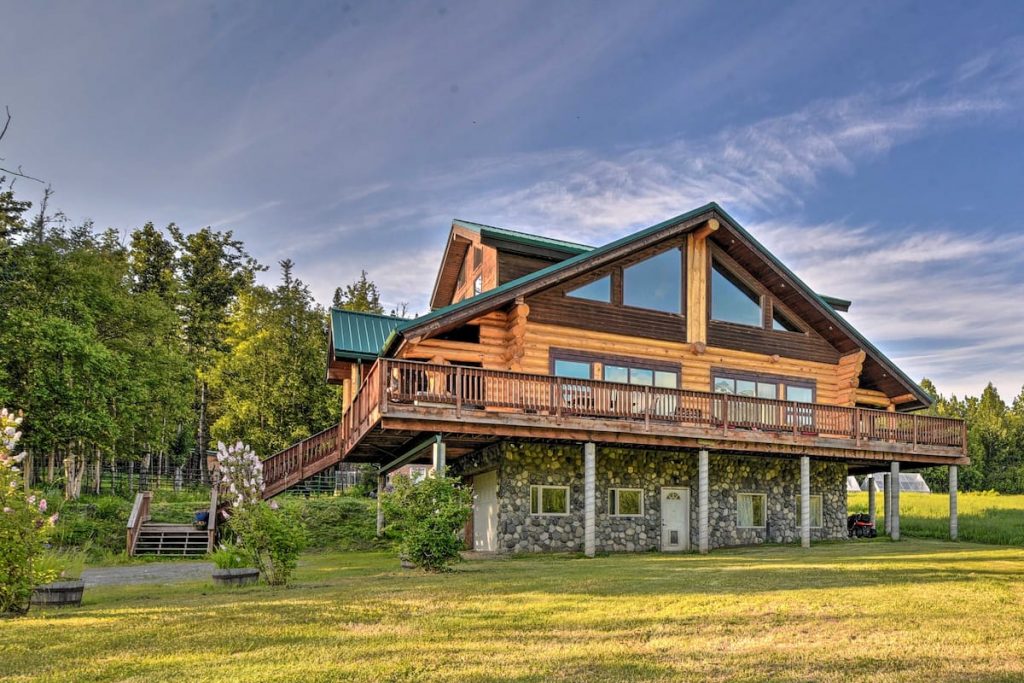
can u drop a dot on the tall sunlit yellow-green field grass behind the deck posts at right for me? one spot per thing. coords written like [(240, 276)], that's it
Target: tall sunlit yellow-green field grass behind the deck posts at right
[(984, 518)]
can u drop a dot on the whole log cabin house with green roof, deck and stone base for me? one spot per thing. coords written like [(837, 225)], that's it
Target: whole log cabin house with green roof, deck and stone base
[(676, 390)]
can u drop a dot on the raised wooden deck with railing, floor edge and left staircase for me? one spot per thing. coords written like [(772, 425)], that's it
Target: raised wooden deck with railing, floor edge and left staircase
[(401, 401)]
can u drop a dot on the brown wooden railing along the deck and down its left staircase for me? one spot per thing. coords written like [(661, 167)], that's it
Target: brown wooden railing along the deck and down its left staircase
[(391, 382)]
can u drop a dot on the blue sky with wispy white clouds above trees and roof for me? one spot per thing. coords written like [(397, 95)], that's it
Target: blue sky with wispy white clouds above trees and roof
[(876, 148)]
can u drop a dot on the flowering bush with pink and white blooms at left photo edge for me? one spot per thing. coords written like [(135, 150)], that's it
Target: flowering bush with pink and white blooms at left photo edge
[(24, 526)]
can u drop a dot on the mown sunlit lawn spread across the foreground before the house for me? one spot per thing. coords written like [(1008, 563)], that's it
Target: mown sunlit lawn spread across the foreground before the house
[(917, 611)]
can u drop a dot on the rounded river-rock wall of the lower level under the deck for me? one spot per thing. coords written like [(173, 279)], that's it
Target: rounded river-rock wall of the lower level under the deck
[(523, 465)]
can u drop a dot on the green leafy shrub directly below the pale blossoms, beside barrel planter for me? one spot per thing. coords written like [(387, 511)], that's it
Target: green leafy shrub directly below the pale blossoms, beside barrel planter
[(270, 540)]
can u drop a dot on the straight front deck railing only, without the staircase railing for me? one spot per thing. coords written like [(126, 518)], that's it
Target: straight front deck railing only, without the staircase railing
[(463, 389)]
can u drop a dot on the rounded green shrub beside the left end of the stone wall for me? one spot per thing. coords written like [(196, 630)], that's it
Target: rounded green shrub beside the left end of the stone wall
[(428, 518)]
